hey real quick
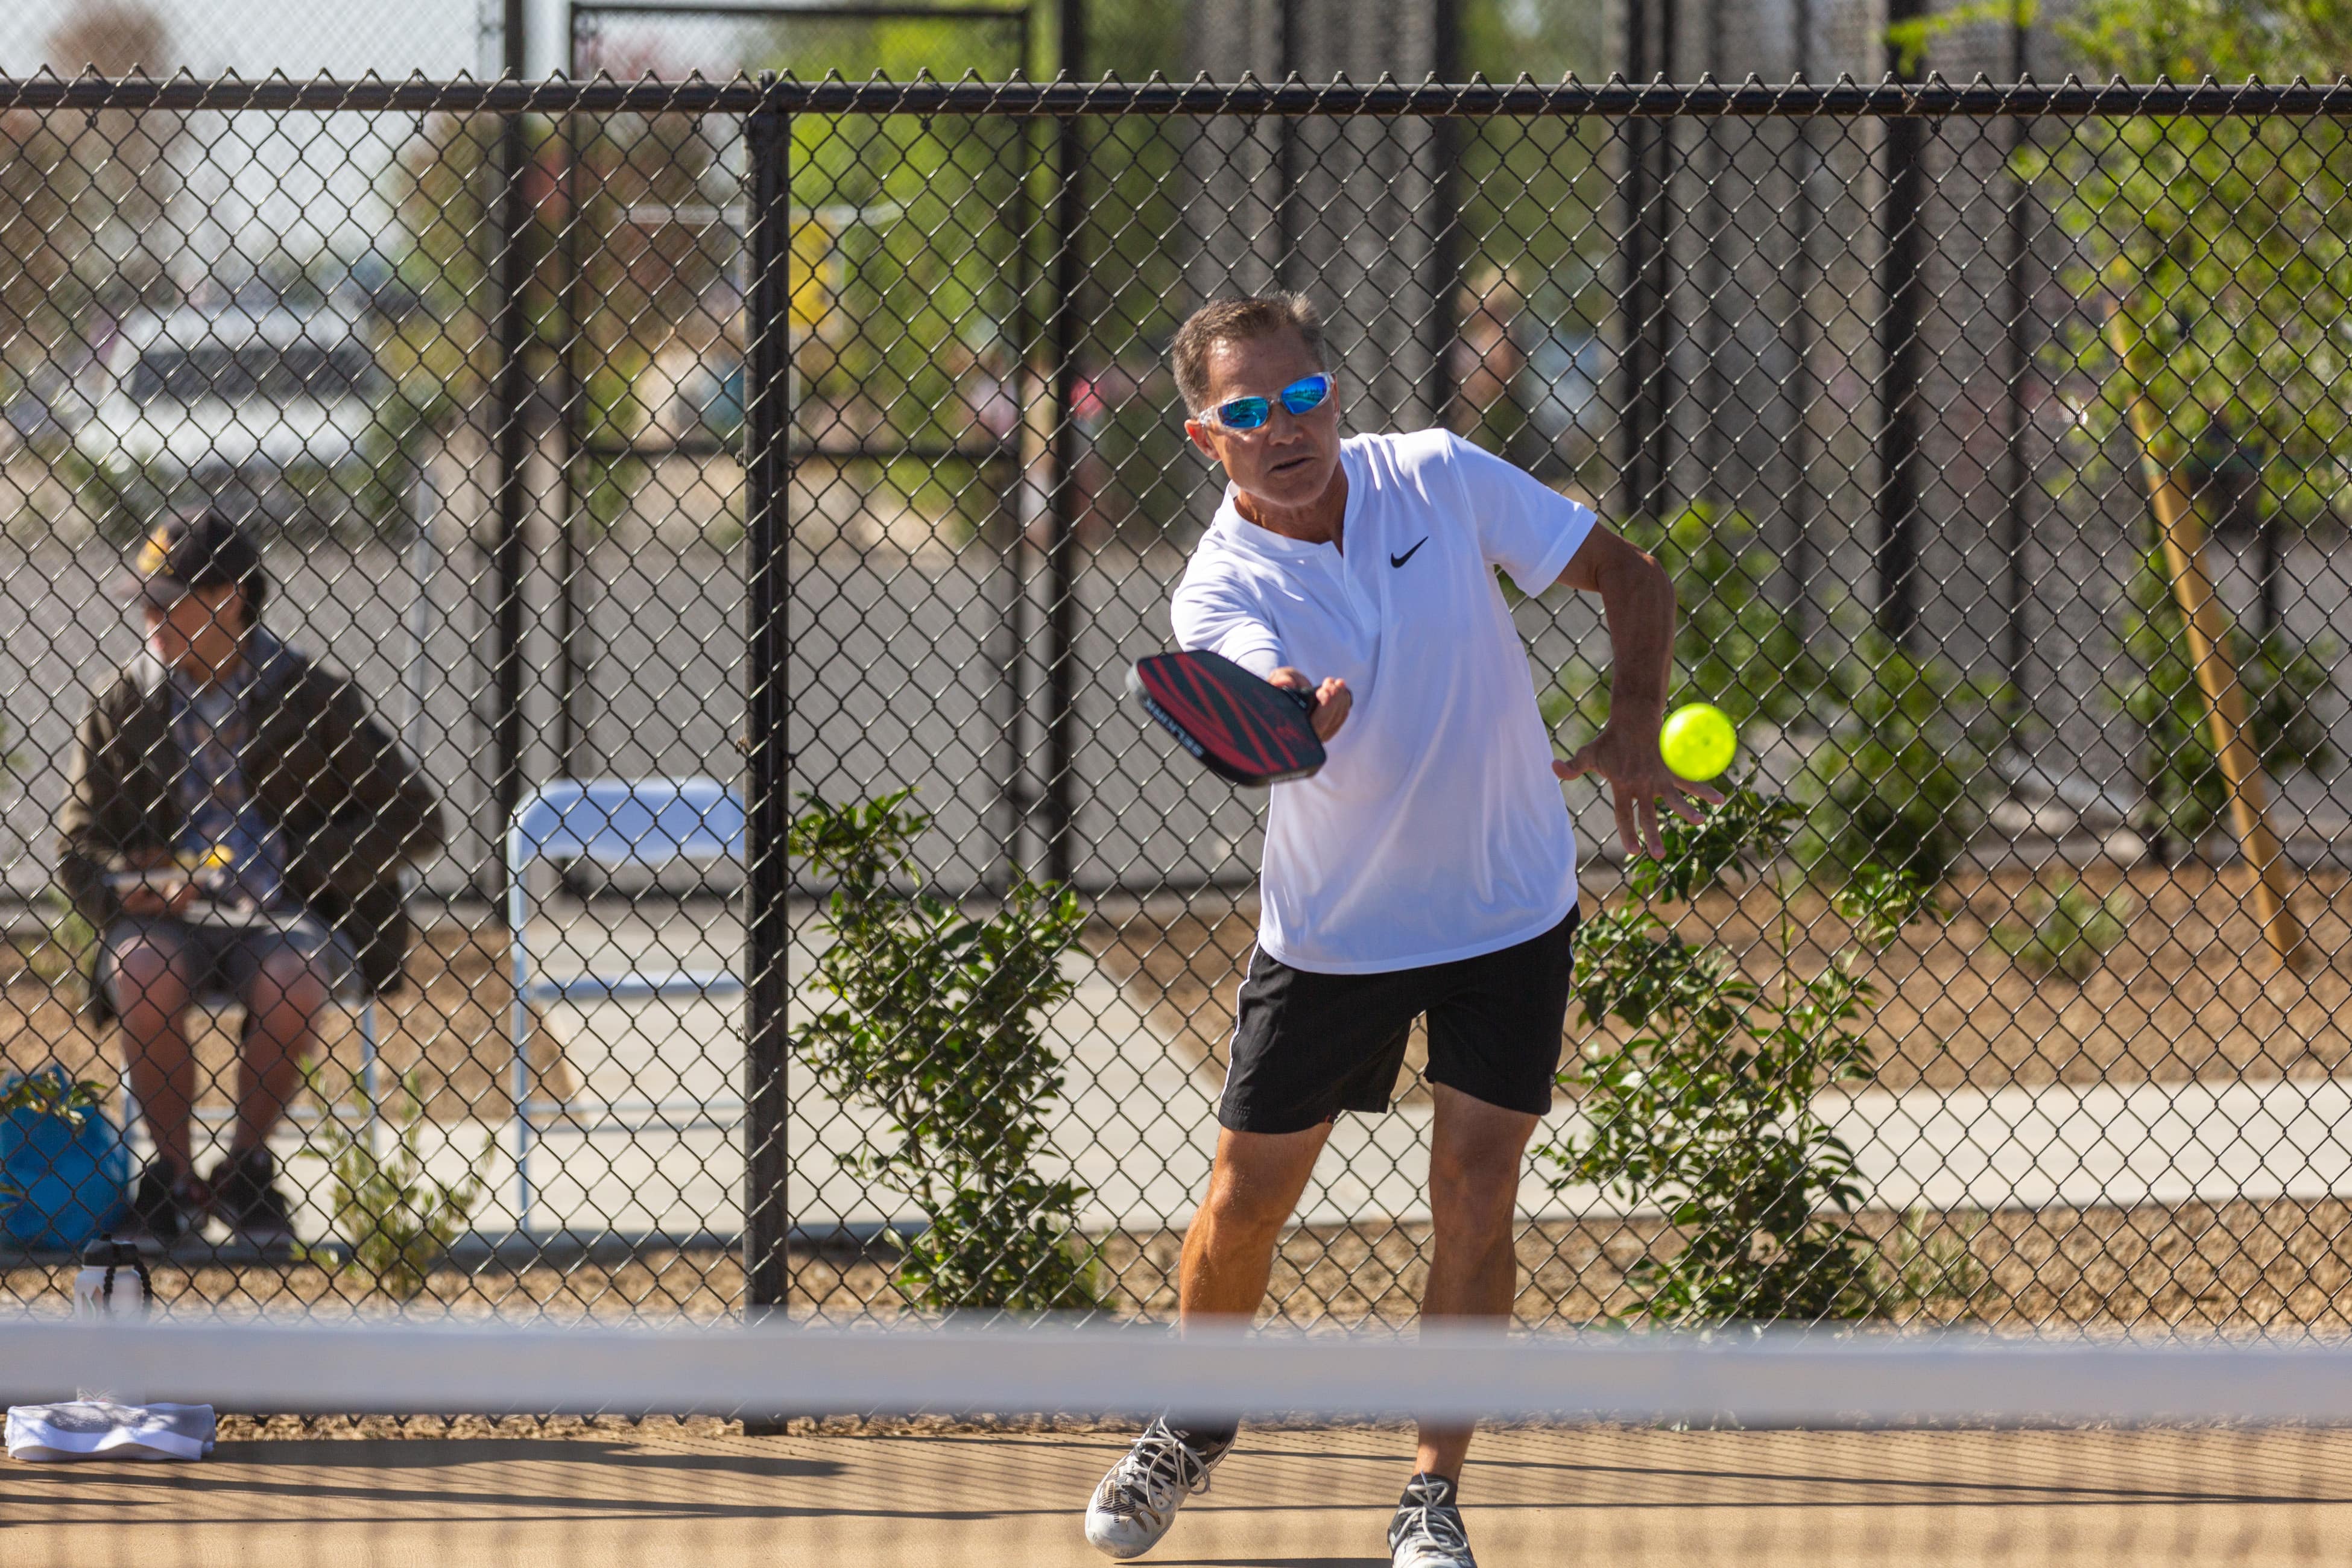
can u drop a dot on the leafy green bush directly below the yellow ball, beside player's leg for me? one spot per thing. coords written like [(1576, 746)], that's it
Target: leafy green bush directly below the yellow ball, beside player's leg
[(1706, 1106)]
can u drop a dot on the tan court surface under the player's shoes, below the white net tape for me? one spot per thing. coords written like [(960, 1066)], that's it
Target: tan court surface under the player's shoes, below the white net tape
[(1314, 1499)]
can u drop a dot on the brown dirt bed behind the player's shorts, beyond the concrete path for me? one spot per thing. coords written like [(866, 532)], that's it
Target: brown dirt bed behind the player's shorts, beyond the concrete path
[(2189, 996)]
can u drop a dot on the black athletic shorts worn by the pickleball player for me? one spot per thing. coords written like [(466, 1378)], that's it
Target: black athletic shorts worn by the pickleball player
[(1311, 1045)]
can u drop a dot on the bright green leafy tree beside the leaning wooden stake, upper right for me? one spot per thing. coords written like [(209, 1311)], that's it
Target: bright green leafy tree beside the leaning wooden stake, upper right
[(2217, 274)]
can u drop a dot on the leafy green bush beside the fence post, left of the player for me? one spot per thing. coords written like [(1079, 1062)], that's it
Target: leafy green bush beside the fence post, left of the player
[(937, 1024)]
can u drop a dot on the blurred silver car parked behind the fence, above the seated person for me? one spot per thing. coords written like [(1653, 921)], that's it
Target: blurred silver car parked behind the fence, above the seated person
[(276, 417)]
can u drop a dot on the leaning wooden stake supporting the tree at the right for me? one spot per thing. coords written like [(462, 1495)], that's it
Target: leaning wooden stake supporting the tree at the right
[(2210, 650)]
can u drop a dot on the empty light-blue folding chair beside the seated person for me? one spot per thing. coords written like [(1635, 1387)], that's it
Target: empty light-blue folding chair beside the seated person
[(610, 824)]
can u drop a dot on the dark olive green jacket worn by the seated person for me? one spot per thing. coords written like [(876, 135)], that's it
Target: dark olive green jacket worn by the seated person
[(347, 803)]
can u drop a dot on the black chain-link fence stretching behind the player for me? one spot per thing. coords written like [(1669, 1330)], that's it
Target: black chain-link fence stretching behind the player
[(674, 469)]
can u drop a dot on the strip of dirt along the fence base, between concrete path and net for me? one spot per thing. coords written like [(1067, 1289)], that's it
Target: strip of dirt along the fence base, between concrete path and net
[(2196, 1268)]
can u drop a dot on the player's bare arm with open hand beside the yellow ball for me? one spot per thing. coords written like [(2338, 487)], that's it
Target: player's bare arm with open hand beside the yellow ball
[(1638, 601)]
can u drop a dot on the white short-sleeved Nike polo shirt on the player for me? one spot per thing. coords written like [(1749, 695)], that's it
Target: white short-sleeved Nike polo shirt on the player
[(1436, 831)]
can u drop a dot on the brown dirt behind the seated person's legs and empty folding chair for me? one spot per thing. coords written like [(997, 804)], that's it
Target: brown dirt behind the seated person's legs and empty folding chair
[(448, 1033)]
